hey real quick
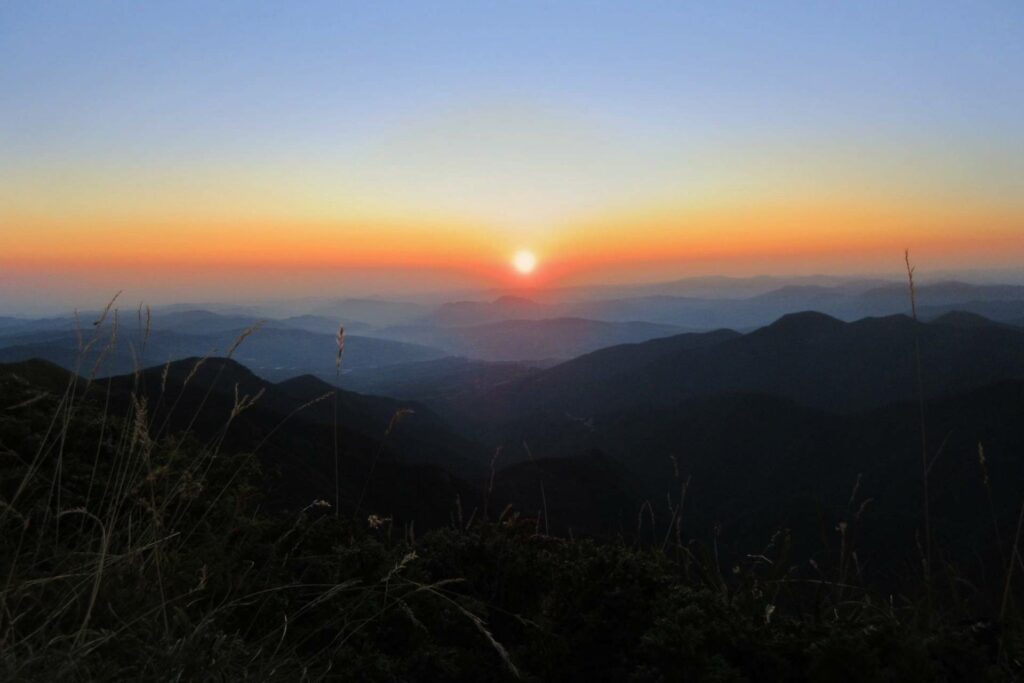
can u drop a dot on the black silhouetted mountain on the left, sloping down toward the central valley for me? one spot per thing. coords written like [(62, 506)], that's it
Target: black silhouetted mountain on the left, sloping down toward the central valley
[(296, 444)]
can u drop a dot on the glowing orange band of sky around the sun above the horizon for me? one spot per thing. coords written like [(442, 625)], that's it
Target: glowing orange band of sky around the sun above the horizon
[(777, 238)]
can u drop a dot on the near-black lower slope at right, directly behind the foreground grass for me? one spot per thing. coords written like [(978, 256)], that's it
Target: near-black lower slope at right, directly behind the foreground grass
[(758, 464)]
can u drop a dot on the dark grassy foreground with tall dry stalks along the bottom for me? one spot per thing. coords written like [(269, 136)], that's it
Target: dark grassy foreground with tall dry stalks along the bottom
[(133, 553)]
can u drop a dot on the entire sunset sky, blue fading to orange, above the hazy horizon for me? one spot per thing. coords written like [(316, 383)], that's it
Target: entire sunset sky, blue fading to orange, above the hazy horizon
[(323, 148)]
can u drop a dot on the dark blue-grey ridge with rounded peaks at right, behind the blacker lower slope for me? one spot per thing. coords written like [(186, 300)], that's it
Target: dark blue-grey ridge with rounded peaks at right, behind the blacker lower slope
[(810, 358)]
